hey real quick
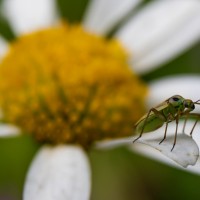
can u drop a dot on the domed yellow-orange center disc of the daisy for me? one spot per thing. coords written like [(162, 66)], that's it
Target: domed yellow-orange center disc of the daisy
[(63, 85)]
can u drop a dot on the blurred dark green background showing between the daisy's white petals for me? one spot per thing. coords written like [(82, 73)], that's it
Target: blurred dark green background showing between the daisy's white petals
[(117, 174)]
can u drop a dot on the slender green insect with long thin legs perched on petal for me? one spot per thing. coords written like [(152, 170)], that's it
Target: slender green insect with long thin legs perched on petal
[(171, 109)]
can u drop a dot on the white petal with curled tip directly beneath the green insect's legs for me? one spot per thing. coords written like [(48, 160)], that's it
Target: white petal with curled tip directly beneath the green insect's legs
[(185, 152)]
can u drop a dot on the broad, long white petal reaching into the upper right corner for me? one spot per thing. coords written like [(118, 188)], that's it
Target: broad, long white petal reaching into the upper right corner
[(162, 30)]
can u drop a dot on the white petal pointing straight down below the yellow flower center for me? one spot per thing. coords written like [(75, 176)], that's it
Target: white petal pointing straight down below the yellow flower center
[(59, 172)]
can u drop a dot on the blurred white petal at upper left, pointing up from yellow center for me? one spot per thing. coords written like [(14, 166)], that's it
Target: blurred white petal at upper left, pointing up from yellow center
[(28, 15)]
